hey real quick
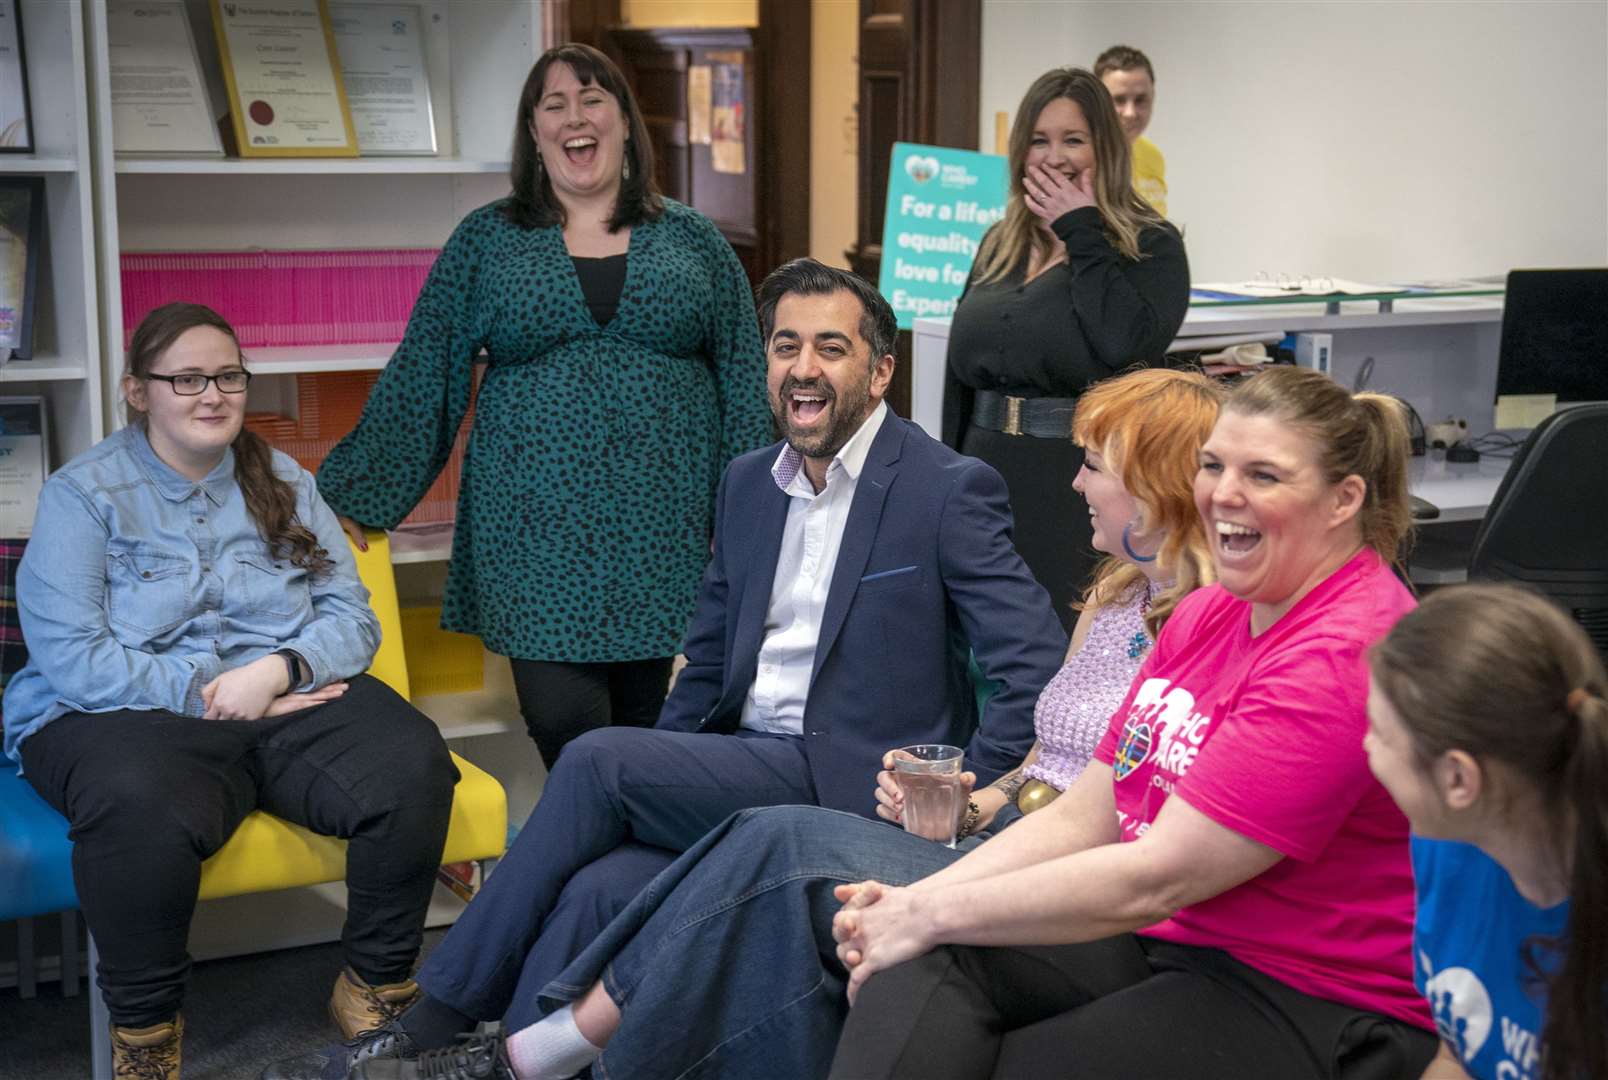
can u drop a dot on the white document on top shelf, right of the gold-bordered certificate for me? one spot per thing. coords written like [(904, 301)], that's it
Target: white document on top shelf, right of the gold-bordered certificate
[(384, 72)]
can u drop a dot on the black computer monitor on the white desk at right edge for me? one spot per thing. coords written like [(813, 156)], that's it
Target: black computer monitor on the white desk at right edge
[(1556, 335)]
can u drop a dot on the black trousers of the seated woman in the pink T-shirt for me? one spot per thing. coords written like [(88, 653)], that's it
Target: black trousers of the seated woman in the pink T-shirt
[(1122, 1008)]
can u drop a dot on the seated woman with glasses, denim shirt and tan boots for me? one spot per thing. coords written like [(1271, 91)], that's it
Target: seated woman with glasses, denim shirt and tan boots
[(197, 639)]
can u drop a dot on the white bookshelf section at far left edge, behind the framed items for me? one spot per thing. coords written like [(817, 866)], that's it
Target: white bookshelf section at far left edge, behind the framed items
[(67, 364)]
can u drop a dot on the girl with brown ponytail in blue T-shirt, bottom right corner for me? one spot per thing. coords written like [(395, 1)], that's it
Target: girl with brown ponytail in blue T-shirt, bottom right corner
[(1488, 726)]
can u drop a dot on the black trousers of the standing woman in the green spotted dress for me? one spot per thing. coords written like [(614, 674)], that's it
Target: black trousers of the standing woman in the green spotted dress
[(560, 702)]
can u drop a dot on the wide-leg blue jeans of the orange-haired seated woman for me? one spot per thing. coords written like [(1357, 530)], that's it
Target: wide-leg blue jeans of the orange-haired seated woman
[(724, 965)]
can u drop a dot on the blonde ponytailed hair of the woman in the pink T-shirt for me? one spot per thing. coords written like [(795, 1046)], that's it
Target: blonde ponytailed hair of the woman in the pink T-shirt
[(1356, 435)]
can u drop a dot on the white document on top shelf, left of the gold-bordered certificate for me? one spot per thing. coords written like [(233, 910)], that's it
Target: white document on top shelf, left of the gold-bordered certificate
[(158, 97)]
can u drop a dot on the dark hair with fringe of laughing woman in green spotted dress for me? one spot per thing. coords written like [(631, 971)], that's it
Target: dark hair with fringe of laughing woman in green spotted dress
[(533, 203)]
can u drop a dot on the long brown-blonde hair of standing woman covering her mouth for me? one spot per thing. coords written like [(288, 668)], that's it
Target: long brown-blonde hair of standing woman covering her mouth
[(1125, 211)]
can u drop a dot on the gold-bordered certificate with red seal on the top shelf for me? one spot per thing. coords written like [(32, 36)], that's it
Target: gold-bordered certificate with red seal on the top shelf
[(285, 92)]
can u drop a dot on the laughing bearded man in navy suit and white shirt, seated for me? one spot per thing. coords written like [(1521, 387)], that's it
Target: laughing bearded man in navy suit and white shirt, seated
[(856, 567)]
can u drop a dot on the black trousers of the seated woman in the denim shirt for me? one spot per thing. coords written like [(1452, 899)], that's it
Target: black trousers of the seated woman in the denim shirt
[(152, 795)]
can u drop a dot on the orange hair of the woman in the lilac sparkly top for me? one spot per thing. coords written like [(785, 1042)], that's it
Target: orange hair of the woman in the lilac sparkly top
[(1151, 425)]
